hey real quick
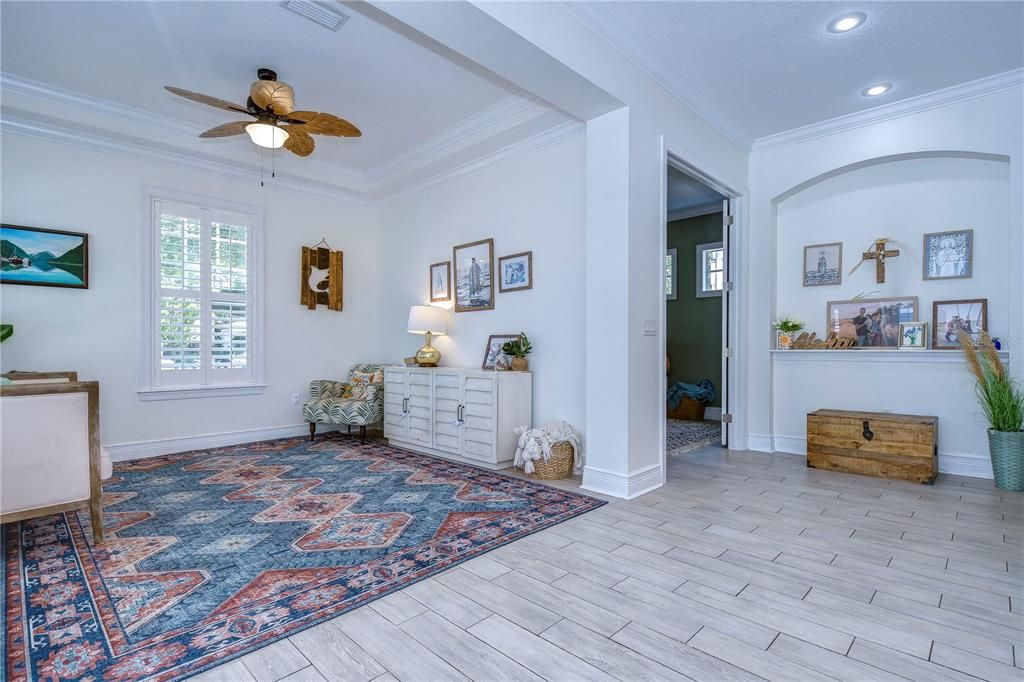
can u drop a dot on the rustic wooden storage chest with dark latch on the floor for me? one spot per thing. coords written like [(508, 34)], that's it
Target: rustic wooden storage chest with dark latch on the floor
[(904, 447)]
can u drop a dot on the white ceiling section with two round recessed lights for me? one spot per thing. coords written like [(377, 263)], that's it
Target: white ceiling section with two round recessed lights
[(754, 69)]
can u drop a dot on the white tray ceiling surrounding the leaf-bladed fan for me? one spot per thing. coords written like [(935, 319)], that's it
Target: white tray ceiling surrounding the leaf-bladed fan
[(401, 92)]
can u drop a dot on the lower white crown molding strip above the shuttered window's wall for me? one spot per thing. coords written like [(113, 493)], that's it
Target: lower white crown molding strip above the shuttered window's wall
[(110, 143)]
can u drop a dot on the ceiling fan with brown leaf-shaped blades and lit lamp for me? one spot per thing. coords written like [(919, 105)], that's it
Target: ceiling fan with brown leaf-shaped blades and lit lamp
[(272, 104)]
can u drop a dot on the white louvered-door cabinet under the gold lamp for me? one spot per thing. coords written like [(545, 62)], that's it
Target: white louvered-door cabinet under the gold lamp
[(468, 416)]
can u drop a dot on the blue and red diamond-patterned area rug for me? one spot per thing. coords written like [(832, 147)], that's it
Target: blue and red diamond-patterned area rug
[(212, 555)]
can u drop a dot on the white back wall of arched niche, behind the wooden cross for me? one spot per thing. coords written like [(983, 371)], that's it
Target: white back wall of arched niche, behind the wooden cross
[(903, 200)]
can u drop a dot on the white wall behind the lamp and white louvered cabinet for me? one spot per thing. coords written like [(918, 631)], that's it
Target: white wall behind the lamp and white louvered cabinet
[(535, 203)]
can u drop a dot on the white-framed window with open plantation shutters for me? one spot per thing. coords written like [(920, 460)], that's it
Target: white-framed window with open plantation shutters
[(204, 309)]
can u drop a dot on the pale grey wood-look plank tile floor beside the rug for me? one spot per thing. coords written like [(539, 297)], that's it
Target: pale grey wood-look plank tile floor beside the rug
[(744, 567)]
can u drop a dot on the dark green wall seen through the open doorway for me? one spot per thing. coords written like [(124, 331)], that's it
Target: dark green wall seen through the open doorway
[(695, 325)]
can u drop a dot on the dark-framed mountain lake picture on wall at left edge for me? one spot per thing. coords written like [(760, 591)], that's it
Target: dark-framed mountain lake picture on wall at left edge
[(44, 258)]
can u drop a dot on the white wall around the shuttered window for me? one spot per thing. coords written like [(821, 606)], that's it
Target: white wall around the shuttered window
[(96, 331)]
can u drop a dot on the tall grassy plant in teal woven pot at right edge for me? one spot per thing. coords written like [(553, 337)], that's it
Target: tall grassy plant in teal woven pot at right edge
[(1002, 402)]
